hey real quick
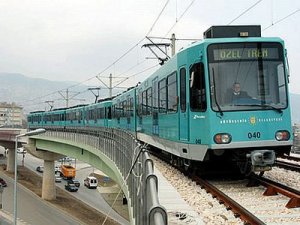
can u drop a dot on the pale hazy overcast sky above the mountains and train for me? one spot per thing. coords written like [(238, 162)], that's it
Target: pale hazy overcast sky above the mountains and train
[(79, 39)]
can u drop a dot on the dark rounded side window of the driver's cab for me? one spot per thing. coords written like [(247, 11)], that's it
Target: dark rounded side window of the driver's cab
[(197, 88)]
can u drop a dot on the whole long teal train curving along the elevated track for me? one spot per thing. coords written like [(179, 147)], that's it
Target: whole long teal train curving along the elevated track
[(221, 100)]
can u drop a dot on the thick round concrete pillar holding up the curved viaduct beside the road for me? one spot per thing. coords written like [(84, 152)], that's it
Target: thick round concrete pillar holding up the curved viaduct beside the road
[(48, 188)]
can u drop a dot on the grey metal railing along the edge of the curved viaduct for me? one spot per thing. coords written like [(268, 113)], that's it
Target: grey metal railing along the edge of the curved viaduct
[(132, 160)]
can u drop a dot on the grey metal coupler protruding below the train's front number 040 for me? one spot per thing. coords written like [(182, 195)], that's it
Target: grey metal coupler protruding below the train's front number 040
[(262, 160)]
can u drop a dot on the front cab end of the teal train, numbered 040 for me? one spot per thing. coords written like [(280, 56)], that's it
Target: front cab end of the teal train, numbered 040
[(242, 111)]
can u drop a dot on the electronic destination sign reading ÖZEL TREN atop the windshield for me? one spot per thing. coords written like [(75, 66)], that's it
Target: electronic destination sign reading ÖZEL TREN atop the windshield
[(245, 53)]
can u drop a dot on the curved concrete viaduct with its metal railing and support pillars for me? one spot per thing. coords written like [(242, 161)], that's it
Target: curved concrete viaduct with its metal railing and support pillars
[(112, 151)]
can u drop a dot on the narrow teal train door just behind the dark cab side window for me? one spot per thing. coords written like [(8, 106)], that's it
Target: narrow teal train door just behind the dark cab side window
[(183, 112)]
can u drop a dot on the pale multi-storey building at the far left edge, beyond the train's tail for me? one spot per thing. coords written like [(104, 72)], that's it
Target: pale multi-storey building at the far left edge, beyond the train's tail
[(11, 115)]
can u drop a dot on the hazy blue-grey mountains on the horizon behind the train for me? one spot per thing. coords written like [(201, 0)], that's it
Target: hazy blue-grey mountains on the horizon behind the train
[(27, 93)]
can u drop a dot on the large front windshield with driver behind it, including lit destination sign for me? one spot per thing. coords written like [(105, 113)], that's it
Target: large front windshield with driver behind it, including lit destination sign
[(247, 76)]
